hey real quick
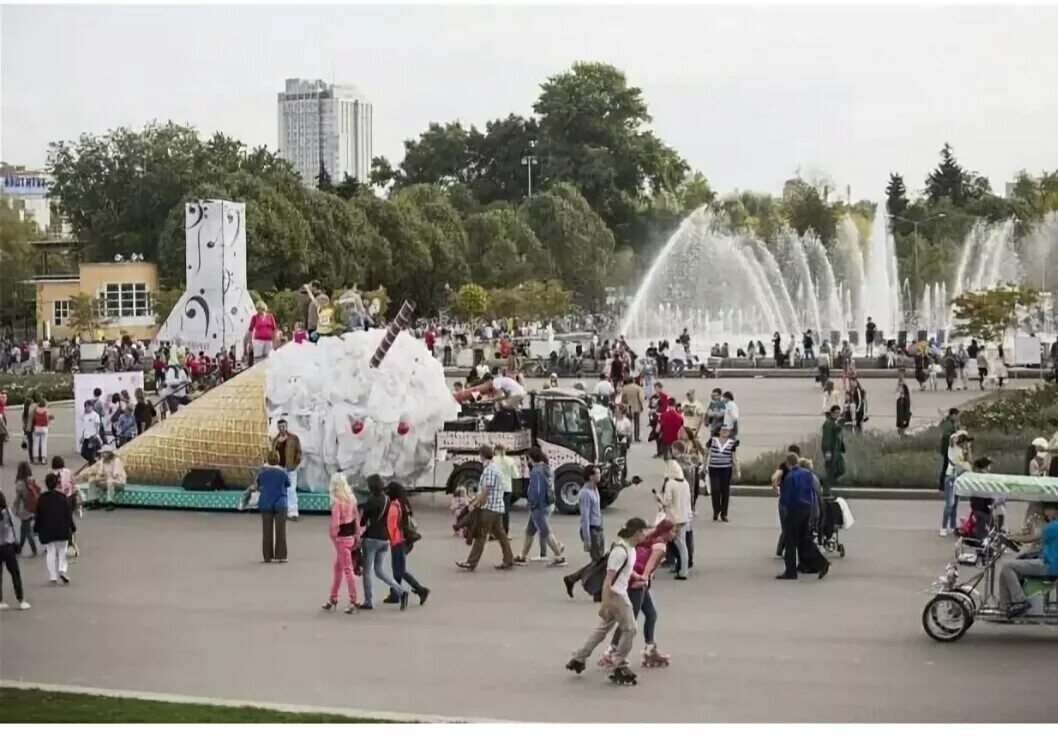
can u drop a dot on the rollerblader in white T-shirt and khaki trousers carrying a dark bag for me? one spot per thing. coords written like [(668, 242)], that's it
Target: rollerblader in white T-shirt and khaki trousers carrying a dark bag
[(616, 610)]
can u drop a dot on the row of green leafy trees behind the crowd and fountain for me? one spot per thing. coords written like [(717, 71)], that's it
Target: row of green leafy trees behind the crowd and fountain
[(607, 193)]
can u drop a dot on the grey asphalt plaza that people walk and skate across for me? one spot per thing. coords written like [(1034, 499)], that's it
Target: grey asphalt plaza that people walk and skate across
[(178, 603)]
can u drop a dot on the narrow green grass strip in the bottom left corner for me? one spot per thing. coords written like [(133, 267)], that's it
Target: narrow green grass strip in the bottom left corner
[(41, 707)]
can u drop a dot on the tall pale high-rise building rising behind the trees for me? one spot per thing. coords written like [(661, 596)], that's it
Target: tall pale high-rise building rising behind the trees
[(329, 125)]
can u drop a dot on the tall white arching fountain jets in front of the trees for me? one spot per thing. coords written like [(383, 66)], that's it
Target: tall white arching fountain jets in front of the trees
[(731, 287)]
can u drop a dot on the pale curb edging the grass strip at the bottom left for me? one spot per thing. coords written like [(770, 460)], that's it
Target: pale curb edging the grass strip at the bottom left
[(279, 708)]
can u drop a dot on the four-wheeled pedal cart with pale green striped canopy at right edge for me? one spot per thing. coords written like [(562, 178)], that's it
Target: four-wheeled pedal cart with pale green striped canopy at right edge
[(958, 601)]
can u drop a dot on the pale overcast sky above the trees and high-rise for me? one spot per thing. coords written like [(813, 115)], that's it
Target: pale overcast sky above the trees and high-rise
[(747, 96)]
